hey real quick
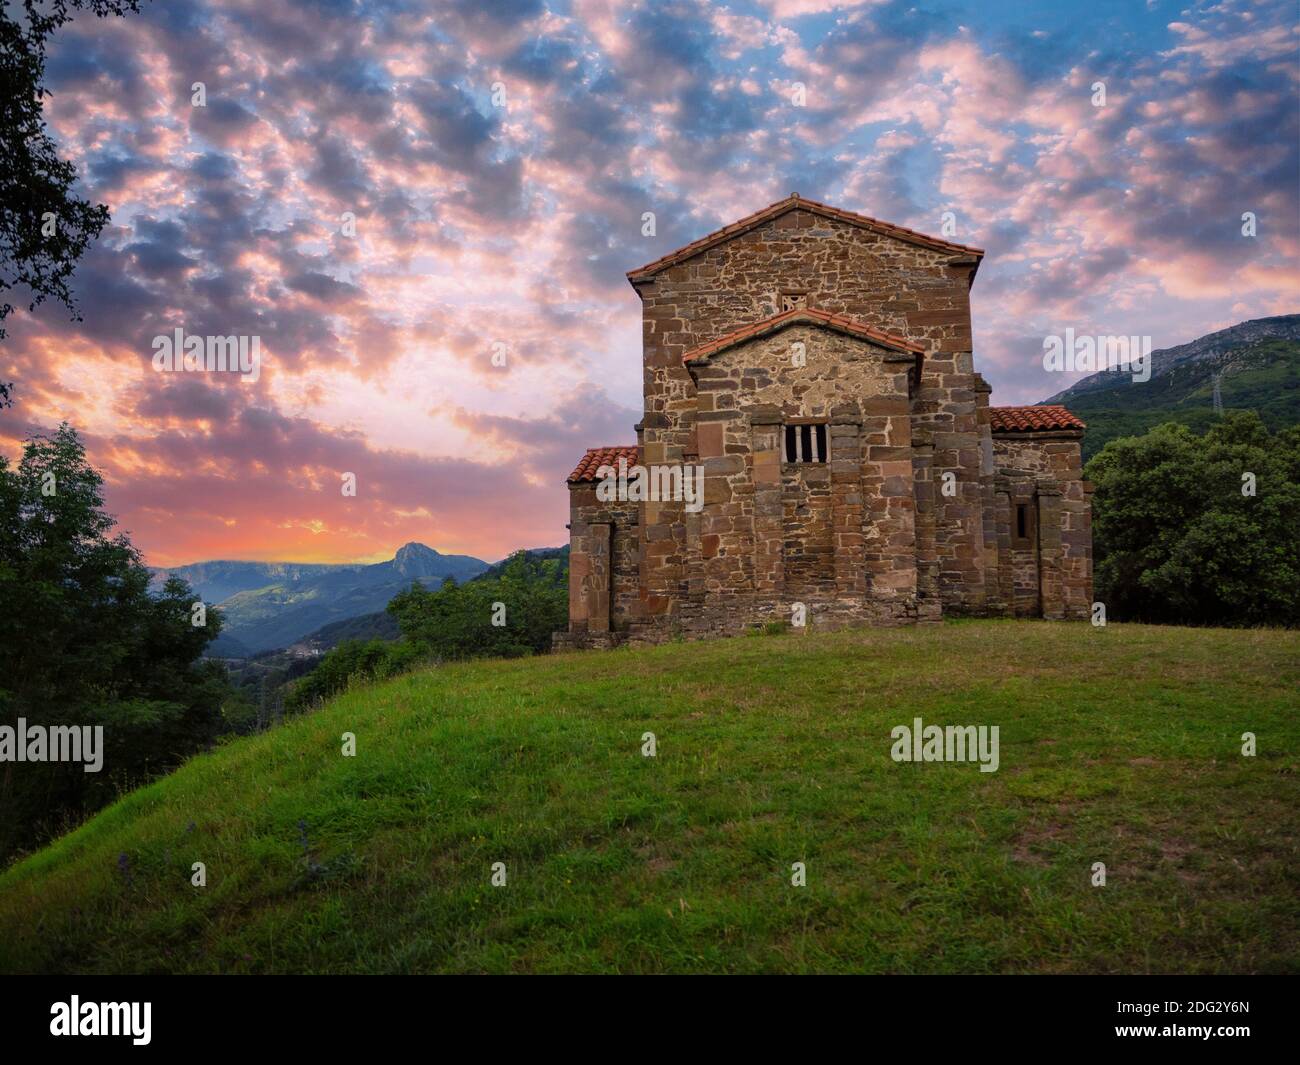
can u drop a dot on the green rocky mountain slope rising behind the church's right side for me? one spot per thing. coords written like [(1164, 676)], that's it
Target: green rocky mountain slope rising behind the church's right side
[(1259, 369)]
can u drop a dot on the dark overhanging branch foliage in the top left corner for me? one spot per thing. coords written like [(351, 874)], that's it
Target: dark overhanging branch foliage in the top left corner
[(38, 258)]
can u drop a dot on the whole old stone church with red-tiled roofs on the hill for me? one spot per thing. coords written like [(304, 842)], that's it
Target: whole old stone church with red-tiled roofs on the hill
[(816, 366)]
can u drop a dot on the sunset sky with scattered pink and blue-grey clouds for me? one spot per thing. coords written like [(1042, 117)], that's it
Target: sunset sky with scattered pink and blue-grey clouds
[(499, 158)]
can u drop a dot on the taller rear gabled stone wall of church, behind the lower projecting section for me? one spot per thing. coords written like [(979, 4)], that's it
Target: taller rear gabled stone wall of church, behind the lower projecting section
[(913, 292)]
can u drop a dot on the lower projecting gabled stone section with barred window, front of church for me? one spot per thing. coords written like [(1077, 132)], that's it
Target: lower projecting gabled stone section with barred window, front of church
[(837, 536)]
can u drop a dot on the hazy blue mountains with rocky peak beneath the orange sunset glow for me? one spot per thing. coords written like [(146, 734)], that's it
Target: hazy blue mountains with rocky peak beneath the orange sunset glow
[(274, 605)]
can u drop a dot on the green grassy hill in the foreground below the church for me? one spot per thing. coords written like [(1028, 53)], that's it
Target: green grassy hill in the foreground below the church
[(1119, 746)]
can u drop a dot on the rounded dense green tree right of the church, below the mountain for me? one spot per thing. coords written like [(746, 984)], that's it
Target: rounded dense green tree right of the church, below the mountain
[(1176, 538)]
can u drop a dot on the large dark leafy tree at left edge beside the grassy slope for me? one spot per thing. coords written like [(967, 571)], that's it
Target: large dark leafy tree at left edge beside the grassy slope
[(84, 642)]
